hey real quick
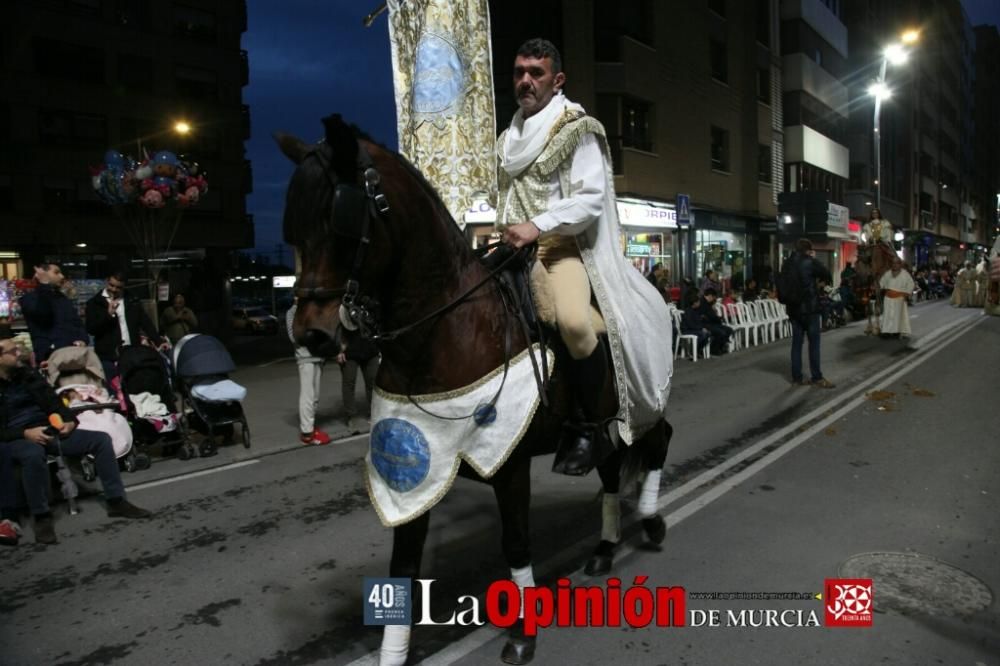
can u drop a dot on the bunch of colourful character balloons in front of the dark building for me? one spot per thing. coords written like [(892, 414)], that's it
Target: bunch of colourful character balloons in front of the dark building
[(153, 182)]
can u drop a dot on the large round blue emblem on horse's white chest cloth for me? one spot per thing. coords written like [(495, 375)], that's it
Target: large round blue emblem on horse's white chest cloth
[(400, 454)]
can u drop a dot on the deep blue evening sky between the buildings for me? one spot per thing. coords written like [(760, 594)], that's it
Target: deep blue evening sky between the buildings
[(310, 58)]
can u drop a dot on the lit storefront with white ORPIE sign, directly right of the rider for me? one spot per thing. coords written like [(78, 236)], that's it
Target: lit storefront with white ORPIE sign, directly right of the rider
[(649, 235)]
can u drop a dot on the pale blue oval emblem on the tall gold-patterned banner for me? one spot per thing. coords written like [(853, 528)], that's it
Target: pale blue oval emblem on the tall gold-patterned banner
[(439, 76)]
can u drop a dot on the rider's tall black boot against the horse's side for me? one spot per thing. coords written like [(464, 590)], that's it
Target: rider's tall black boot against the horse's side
[(584, 442)]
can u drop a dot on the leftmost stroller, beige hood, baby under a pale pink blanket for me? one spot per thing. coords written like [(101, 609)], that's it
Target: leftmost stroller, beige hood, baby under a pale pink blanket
[(78, 377)]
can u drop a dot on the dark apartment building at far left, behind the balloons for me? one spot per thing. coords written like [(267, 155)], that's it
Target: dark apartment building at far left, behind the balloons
[(78, 77)]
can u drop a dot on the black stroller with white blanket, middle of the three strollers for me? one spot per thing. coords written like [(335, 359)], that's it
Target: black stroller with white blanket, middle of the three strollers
[(144, 381)]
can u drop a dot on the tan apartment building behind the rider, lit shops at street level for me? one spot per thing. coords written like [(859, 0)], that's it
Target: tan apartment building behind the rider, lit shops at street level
[(690, 96)]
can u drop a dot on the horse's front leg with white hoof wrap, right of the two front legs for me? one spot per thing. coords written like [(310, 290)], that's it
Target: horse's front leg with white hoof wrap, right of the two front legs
[(512, 487)]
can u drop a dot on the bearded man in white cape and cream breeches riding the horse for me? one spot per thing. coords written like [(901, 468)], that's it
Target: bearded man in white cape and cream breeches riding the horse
[(556, 187)]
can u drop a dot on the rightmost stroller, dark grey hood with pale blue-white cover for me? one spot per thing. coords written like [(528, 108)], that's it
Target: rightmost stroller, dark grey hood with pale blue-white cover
[(203, 364)]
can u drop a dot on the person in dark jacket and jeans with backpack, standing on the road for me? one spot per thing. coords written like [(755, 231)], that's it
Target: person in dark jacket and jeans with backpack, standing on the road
[(798, 291)]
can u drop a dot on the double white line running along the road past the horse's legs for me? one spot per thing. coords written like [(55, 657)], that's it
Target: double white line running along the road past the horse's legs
[(480, 637)]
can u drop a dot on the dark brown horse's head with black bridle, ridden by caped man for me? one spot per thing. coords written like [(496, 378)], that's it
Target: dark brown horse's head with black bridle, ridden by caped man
[(333, 213)]
